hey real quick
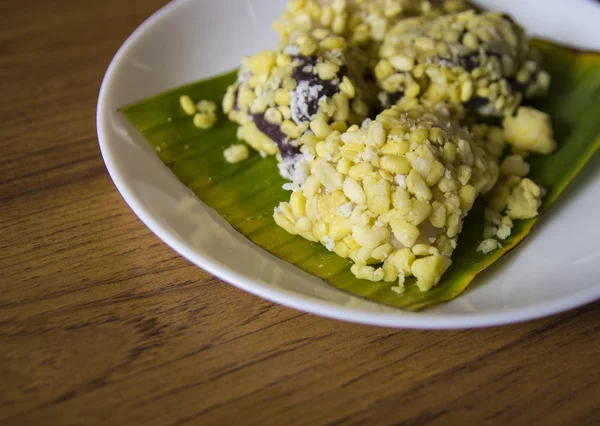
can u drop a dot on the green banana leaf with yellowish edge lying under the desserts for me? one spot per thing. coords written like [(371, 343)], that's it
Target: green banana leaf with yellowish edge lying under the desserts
[(246, 193)]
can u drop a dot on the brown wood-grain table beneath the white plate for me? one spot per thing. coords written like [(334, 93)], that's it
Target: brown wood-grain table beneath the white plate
[(102, 324)]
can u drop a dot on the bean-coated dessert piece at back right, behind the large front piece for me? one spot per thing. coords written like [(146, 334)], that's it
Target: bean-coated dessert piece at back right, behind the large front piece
[(479, 62)]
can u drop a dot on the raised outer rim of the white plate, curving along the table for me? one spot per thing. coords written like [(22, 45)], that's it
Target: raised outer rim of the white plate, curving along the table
[(288, 298)]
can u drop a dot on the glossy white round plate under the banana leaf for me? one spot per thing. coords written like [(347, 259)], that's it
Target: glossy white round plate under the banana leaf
[(555, 269)]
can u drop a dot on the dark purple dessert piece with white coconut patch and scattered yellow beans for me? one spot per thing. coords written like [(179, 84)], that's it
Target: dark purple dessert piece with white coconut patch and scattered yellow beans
[(311, 86)]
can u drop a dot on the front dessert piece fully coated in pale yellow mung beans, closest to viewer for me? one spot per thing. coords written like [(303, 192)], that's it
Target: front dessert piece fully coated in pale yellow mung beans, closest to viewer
[(391, 195)]
